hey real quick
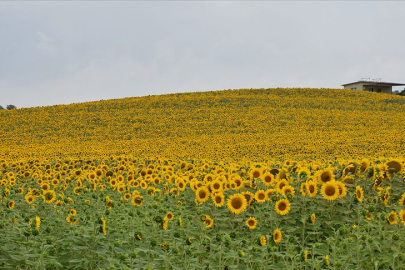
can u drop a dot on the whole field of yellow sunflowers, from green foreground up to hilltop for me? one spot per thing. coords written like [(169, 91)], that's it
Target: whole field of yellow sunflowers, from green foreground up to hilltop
[(236, 179)]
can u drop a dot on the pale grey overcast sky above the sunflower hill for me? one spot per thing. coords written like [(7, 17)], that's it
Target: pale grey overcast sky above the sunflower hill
[(63, 52)]
